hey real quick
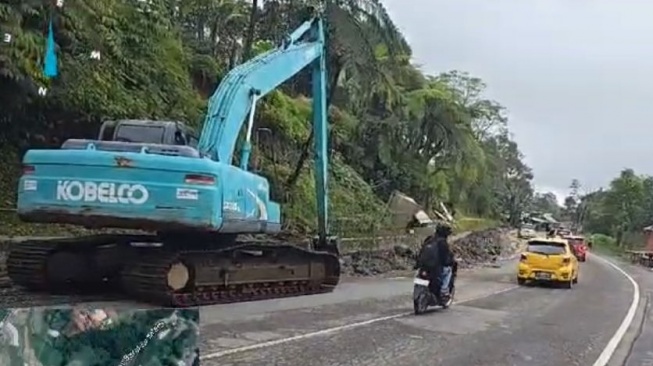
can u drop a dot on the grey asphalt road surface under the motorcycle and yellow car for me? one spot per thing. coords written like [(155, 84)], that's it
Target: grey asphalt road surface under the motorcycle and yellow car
[(370, 322)]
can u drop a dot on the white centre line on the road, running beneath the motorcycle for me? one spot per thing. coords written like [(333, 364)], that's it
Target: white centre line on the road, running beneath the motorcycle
[(330, 330)]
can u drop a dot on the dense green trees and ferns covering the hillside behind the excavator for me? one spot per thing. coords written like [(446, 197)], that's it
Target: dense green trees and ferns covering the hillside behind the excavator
[(436, 138)]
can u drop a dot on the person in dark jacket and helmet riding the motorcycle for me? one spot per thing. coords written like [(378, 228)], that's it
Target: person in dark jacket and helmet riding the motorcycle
[(437, 258)]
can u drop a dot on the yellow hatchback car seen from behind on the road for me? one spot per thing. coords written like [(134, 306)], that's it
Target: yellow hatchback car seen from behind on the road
[(548, 260)]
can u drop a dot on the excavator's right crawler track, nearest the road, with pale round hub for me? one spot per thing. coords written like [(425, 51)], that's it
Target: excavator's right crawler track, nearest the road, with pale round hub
[(234, 274)]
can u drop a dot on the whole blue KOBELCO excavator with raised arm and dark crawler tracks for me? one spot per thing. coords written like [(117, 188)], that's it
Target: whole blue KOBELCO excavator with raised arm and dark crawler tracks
[(202, 230)]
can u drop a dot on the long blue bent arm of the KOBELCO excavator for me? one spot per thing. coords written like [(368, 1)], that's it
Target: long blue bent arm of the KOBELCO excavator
[(235, 100)]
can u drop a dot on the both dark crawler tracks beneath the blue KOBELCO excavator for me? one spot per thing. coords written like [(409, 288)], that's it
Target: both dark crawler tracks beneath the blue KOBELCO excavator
[(169, 276)]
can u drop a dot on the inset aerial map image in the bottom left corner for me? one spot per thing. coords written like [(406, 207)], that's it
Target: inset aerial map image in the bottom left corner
[(81, 336)]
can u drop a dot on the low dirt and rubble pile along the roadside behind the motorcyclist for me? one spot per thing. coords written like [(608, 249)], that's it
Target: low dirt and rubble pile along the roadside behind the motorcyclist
[(473, 249)]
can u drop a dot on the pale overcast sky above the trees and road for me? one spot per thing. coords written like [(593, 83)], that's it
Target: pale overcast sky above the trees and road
[(574, 75)]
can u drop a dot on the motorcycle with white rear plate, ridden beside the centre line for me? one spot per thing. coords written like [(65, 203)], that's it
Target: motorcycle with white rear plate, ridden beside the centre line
[(423, 297)]
